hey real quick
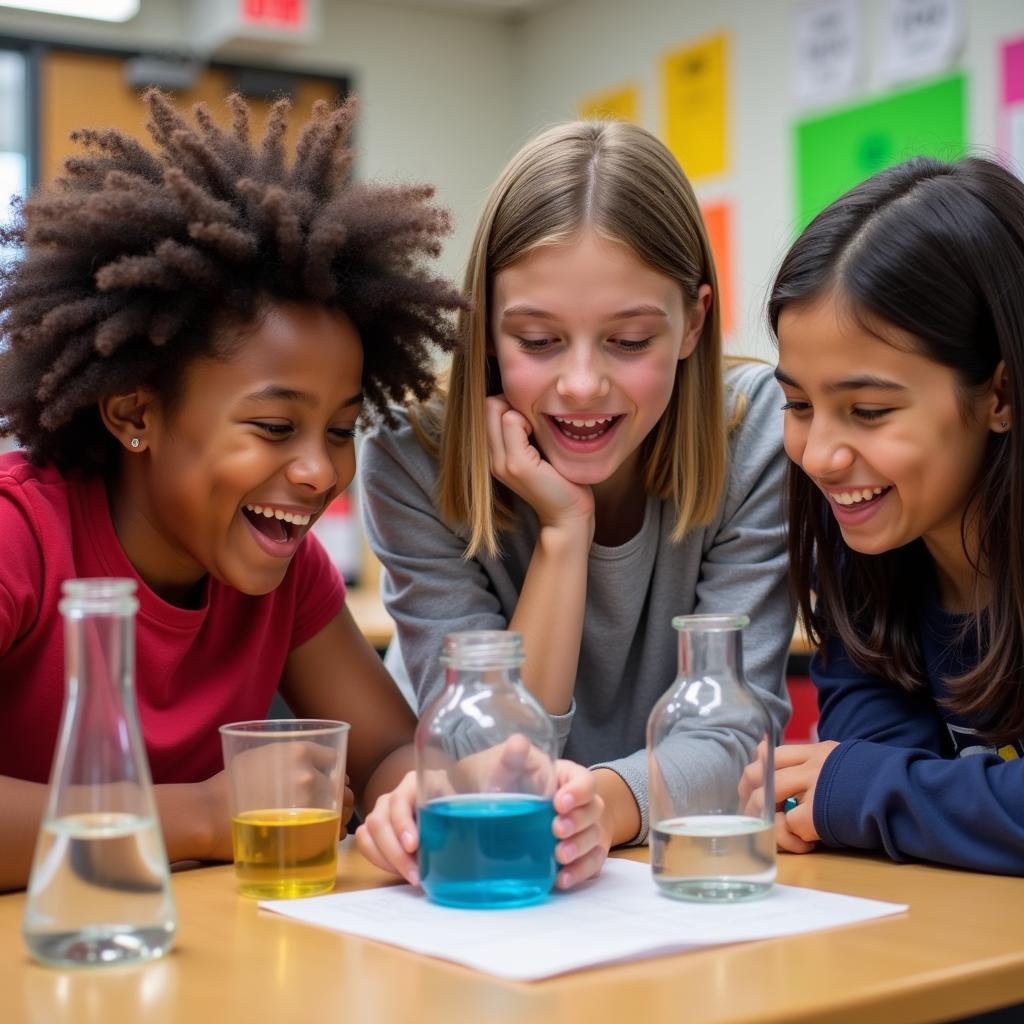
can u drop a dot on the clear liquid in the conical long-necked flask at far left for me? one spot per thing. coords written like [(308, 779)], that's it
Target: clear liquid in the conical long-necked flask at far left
[(99, 893)]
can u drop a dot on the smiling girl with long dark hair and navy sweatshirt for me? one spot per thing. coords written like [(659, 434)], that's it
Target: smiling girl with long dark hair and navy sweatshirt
[(900, 315)]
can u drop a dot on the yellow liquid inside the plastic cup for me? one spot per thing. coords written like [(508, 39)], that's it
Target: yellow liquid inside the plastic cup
[(280, 855)]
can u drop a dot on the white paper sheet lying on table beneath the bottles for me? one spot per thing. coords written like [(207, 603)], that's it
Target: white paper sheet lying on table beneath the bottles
[(620, 916)]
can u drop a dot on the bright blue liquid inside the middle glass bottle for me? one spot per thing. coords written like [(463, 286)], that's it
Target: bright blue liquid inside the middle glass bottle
[(488, 851)]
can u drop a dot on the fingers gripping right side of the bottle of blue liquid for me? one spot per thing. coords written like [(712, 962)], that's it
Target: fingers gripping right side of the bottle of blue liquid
[(583, 845)]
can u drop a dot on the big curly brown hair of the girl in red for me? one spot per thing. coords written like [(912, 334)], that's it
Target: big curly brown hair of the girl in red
[(134, 261)]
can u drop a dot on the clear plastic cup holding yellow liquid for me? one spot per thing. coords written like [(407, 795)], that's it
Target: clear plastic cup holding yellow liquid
[(286, 783)]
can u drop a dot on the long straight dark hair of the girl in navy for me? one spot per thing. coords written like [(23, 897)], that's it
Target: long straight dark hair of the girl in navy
[(935, 250)]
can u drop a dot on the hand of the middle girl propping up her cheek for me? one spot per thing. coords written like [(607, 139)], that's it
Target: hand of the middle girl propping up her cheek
[(519, 464)]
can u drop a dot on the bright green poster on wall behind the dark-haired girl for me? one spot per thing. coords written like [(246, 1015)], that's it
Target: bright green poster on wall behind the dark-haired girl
[(841, 149)]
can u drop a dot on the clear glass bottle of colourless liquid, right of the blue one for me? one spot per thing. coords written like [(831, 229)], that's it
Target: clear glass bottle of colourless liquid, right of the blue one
[(711, 840)]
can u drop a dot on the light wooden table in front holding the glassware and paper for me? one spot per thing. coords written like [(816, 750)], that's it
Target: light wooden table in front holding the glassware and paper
[(959, 951)]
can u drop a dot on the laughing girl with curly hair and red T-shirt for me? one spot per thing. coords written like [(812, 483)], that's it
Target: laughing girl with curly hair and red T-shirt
[(189, 343)]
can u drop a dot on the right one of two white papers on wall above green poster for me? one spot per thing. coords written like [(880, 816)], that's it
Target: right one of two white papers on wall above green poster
[(922, 37)]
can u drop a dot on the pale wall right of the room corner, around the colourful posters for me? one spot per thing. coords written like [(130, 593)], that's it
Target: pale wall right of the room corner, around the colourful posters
[(580, 48)]
